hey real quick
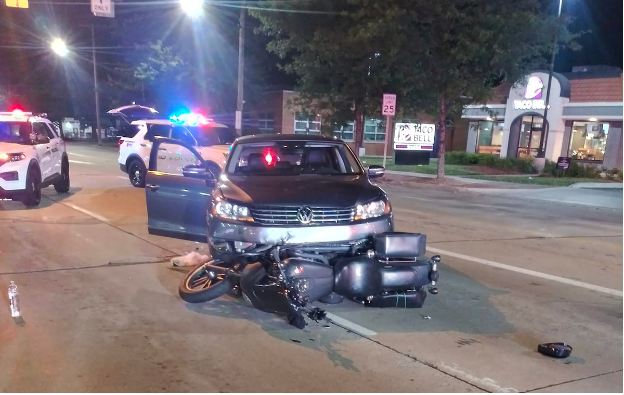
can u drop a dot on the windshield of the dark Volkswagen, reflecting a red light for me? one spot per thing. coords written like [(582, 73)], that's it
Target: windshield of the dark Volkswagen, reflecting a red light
[(292, 158)]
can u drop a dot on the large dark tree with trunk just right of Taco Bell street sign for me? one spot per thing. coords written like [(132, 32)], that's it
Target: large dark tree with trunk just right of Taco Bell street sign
[(455, 52)]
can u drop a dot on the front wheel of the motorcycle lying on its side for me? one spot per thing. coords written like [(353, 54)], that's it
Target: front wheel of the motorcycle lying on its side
[(204, 283)]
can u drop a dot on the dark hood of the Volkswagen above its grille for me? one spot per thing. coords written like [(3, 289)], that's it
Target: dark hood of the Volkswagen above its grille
[(303, 190)]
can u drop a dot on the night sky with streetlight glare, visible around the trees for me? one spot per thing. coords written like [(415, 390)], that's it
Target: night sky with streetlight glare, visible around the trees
[(28, 67)]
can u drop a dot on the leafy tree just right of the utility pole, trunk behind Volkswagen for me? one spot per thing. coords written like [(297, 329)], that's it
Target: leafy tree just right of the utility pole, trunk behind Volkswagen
[(340, 71)]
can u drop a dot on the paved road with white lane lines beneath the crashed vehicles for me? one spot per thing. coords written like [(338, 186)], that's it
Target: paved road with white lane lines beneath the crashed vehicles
[(101, 311)]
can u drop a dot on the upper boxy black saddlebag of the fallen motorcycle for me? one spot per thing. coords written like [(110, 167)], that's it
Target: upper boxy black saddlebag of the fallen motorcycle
[(394, 245)]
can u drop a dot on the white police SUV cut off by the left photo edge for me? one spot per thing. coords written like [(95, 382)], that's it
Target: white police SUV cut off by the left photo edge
[(32, 156)]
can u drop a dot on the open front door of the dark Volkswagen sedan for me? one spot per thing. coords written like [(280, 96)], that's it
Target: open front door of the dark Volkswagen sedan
[(177, 190)]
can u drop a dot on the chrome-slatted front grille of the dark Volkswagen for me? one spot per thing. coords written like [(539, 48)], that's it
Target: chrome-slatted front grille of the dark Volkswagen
[(276, 215)]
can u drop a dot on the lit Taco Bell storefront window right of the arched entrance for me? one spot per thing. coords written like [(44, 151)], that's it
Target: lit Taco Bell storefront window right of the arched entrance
[(588, 140)]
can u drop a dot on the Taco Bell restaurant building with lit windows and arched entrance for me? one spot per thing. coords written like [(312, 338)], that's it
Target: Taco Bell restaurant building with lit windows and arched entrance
[(584, 118)]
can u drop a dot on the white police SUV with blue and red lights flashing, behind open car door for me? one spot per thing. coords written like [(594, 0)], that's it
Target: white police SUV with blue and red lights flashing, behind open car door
[(211, 139)]
